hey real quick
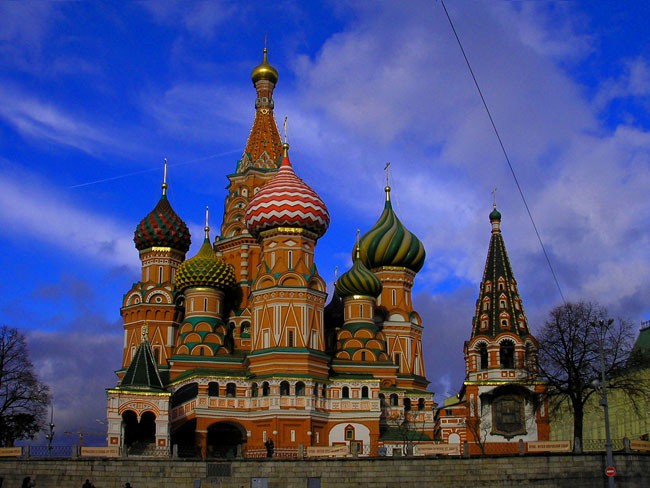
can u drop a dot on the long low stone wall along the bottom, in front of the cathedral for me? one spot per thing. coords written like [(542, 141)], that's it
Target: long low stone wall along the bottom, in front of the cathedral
[(571, 471)]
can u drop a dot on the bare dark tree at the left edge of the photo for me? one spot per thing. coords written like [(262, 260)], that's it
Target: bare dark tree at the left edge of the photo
[(23, 398)]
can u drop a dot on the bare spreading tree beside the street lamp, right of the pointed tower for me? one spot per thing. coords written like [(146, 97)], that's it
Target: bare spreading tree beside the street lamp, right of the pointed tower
[(570, 356)]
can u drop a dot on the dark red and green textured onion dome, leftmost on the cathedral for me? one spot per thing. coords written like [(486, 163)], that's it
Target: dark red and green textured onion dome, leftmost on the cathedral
[(162, 227)]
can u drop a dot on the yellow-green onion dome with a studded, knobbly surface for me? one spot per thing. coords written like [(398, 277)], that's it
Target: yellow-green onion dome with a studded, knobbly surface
[(205, 269)]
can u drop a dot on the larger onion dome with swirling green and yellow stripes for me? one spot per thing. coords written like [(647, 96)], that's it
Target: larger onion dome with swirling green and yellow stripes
[(389, 243)]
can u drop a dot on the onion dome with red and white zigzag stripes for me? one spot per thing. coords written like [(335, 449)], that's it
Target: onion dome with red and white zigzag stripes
[(287, 201)]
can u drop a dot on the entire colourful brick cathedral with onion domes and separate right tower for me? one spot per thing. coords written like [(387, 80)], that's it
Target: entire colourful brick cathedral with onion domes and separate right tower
[(237, 351)]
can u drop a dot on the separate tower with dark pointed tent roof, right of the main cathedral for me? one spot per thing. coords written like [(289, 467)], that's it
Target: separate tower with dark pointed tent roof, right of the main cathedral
[(501, 385)]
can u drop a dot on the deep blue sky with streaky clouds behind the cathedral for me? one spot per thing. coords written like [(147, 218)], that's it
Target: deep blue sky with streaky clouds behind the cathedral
[(93, 96)]
